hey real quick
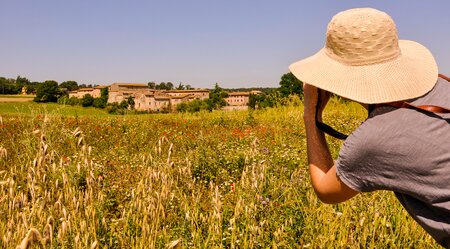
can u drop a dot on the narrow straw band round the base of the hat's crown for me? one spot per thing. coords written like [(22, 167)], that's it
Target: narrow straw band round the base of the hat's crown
[(386, 57)]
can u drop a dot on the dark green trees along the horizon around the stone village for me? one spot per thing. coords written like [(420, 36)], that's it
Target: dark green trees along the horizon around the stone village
[(51, 91)]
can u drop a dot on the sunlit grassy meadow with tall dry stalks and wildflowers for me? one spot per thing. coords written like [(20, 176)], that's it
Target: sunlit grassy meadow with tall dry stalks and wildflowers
[(80, 178)]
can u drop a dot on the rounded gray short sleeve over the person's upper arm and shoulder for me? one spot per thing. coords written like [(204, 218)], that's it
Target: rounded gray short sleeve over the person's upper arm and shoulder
[(391, 151)]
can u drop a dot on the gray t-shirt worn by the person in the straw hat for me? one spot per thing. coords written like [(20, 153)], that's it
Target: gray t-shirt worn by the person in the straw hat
[(408, 152)]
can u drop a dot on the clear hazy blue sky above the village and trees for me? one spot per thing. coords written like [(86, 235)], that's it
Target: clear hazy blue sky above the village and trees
[(236, 43)]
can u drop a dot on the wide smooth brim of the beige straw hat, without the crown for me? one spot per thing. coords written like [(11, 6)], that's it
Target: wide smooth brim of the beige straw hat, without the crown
[(411, 75)]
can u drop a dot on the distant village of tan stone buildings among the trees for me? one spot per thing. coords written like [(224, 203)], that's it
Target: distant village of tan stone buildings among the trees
[(147, 99)]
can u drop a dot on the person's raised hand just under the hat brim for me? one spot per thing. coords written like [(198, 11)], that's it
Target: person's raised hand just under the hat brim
[(311, 96)]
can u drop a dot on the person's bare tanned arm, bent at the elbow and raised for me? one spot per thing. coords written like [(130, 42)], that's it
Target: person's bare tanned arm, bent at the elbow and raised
[(327, 185)]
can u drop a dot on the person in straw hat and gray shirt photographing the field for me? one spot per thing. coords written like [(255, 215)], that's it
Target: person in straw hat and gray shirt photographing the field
[(404, 150)]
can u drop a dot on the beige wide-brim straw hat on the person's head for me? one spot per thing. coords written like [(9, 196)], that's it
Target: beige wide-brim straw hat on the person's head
[(364, 61)]
